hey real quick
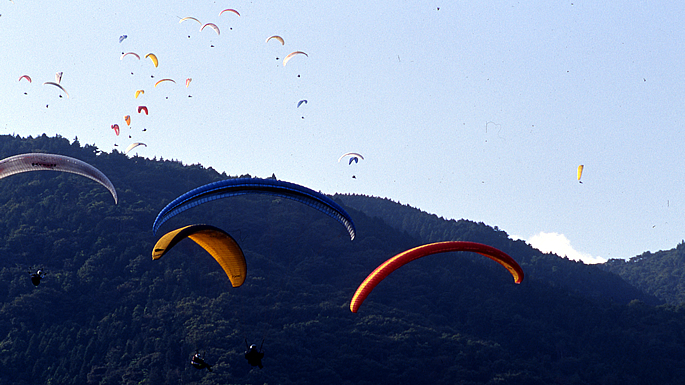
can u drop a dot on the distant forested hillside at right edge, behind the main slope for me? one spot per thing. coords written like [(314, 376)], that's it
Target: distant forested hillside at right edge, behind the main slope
[(661, 274)]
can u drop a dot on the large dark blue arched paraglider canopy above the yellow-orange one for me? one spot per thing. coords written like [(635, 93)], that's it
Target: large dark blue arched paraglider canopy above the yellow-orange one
[(241, 186)]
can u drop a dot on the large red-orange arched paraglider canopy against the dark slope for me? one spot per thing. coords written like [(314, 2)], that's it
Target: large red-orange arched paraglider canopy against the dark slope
[(405, 257)]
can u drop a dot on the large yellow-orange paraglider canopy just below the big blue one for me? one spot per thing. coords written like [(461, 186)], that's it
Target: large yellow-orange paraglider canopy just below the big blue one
[(221, 246)]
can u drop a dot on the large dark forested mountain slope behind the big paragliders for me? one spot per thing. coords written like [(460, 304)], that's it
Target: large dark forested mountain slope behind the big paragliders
[(106, 313)]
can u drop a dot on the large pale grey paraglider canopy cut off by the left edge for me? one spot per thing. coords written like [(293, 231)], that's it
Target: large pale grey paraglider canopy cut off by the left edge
[(52, 162)]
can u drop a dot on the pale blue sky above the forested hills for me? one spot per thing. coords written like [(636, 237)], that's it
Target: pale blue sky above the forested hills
[(476, 110)]
